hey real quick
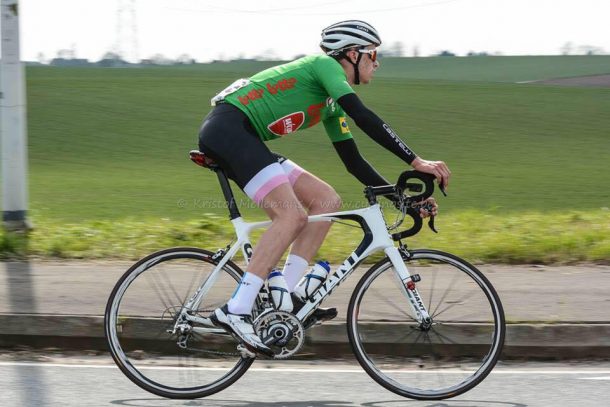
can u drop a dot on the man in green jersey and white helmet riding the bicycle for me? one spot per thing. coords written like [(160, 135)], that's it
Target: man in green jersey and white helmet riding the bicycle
[(273, 104)]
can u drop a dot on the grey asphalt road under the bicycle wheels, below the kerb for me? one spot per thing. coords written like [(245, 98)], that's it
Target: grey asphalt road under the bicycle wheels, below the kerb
[(95, 381)]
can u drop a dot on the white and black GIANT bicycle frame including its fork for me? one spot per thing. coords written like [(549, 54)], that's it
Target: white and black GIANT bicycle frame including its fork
[(376, 238)]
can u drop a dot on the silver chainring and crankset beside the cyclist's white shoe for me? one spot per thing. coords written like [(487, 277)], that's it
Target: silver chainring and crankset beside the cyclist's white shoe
[(281, 331)]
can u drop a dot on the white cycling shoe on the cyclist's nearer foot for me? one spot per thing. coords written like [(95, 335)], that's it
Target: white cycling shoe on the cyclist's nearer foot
[(241, 327)]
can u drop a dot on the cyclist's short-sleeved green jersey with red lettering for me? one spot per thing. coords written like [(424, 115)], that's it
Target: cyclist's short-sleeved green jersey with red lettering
[(293, 96)]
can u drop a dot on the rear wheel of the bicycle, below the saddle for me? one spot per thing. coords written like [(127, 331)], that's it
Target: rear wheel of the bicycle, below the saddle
[(142, 311)]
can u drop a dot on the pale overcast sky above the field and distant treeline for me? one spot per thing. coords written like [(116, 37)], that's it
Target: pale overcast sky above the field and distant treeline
[(212, 29)]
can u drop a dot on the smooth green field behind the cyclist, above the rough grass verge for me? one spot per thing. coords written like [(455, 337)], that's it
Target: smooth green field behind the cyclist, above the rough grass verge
[(112, 144)]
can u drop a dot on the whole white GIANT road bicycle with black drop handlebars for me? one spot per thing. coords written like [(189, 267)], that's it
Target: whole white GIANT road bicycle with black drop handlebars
[(422, 323)]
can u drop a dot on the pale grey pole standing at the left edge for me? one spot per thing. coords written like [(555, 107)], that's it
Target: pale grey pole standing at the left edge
[(13, 123)]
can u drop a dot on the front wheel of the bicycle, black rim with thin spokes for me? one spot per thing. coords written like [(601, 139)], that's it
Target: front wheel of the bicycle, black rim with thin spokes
[(420, 361)]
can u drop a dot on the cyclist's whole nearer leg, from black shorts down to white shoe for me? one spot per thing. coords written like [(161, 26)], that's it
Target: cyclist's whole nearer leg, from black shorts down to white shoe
[(228, 137)]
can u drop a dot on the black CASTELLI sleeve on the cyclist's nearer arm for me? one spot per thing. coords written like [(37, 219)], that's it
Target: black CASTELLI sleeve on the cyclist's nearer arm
[(375, 128)]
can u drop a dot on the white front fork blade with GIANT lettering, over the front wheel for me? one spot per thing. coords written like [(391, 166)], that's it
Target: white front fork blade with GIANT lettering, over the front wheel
[(407, 285)]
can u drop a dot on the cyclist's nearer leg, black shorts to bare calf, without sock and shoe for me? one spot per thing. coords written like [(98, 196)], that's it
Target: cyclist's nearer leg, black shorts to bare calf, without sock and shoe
[(229, 138)]
